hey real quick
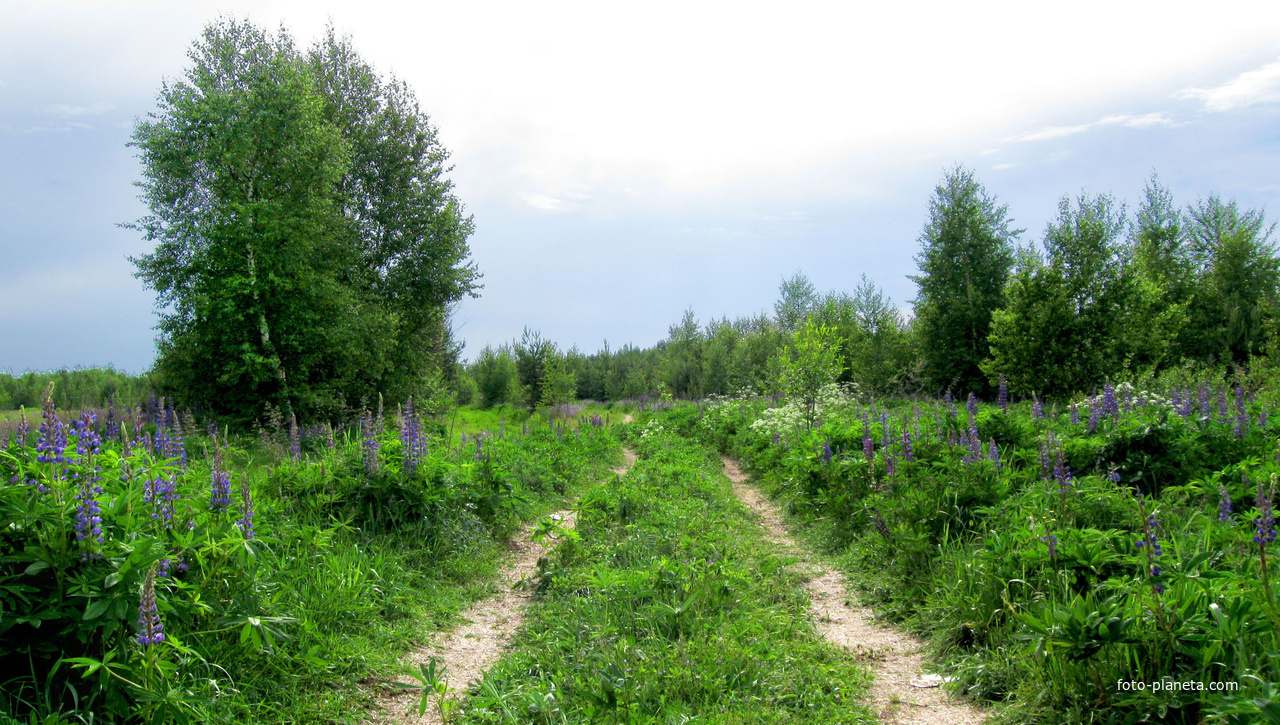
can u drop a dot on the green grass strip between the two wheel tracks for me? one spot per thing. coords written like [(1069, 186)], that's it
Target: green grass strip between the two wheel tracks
[(668, 607)]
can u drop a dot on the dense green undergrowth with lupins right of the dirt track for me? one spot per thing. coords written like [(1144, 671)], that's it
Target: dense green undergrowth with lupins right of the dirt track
[(1031, 585)]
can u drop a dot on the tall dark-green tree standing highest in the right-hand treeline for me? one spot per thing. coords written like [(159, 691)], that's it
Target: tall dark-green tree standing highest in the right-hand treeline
[(966, 258)]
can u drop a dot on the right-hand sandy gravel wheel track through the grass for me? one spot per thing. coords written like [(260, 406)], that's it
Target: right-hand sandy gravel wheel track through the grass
[(895, 656)]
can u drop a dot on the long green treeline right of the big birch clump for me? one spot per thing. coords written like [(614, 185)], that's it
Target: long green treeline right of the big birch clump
[(1103, 295)]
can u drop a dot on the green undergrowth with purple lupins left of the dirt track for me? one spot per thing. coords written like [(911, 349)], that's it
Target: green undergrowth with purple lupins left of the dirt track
[(341, 573)]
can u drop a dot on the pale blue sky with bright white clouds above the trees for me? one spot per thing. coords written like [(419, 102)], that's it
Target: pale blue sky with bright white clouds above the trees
[(628, 162)]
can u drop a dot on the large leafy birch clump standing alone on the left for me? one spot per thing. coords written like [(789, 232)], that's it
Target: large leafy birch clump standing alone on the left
[(307, 243)]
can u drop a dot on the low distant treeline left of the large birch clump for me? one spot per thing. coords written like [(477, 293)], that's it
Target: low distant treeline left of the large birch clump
[(85, 387)]
